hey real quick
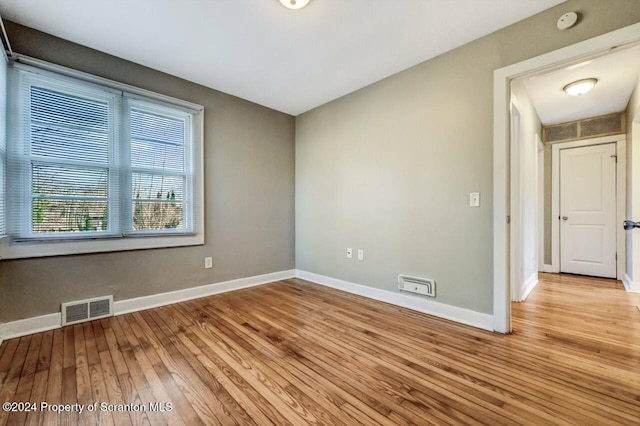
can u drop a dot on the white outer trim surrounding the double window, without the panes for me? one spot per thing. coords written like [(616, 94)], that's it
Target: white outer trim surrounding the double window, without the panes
[(12, 248)]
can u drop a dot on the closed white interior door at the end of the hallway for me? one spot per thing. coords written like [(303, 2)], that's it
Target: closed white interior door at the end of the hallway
[(588, 210)]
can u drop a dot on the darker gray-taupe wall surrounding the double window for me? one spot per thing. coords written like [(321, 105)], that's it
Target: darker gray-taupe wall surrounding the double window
[(249, 186)]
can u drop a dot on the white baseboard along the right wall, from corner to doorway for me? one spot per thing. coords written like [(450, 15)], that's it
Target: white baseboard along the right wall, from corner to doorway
[(416, 303)]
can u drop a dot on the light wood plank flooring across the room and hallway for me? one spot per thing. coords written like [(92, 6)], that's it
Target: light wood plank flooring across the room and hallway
[(295, 353)]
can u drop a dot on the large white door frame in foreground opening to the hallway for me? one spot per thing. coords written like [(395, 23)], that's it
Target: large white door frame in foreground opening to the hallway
[(502, 187)]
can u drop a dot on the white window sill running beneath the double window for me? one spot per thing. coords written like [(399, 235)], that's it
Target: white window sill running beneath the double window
[(22, 250)]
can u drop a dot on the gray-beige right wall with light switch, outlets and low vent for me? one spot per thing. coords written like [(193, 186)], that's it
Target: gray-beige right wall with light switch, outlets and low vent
[(389, 168)]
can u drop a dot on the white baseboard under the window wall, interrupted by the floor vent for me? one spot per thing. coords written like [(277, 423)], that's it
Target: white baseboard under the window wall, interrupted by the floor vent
[(33, 325)]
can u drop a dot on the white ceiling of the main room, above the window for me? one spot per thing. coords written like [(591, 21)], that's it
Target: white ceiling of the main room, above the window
[(288, 60)]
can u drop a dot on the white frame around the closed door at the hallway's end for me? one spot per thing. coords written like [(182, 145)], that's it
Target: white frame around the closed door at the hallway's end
[(621, 191)]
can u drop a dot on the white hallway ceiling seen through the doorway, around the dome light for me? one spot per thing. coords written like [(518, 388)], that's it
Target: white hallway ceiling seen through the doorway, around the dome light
[(617, 74)]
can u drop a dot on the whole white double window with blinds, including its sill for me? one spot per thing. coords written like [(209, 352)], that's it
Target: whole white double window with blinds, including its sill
[(93, 167)]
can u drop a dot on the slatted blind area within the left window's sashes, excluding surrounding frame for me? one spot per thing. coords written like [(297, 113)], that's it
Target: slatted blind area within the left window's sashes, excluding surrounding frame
[(71, 139)]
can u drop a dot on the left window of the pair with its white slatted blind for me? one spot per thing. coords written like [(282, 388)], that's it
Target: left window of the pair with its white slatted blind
[(64, 165)]
